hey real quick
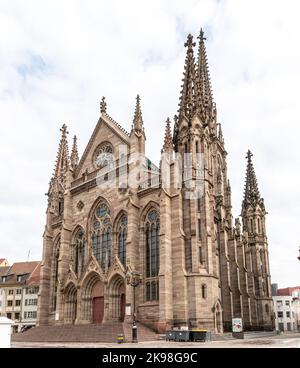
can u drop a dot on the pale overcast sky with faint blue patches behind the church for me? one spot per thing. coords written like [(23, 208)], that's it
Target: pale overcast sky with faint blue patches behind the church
[(58, 58)]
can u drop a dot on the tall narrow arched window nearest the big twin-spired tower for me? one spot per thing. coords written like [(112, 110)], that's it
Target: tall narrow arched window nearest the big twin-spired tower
[(152, 256)]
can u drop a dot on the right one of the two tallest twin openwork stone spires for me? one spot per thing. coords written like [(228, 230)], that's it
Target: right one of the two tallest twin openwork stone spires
[(206, 97)]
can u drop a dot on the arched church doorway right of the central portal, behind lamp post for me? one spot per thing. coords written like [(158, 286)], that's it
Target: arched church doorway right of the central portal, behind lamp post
[(117, 299)]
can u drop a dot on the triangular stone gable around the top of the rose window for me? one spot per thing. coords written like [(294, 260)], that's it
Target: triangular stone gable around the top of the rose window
[(107, 130)]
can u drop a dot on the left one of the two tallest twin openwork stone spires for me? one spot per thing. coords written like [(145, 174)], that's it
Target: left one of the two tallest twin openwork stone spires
[(188, 95)]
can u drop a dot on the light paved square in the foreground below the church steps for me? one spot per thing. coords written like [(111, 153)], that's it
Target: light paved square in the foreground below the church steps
[(282, 341)]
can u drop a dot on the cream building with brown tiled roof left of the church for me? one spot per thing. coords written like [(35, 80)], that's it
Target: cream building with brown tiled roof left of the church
[(19, 286)]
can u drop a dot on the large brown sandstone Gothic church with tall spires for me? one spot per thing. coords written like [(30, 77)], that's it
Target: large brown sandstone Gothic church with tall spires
[(196, 265)]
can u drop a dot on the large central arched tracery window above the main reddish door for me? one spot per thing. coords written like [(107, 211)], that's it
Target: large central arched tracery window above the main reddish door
[(101, 235)]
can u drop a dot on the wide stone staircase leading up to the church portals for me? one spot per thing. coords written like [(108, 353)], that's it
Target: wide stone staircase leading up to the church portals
[(92, 333)]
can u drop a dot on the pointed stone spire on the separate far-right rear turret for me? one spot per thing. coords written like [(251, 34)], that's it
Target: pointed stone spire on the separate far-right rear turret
[(251, 194)]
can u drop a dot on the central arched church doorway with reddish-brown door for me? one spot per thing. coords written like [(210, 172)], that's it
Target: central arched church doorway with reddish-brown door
[(92, 309)]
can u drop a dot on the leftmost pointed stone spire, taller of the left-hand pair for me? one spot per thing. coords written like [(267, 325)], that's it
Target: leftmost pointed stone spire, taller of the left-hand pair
[(62, 160)]
